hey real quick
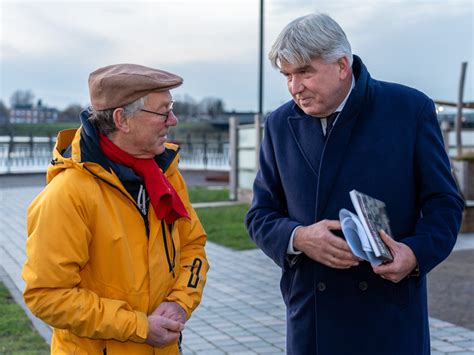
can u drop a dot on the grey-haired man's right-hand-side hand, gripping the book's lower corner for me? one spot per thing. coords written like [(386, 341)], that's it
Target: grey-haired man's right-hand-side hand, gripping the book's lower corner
[(404, 260)]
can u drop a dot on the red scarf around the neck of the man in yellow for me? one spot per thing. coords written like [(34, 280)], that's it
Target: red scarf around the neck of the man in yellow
[(164, 198)]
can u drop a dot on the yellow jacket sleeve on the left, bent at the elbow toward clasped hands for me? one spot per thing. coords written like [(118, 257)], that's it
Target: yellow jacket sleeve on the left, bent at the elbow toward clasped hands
[(57, 249)]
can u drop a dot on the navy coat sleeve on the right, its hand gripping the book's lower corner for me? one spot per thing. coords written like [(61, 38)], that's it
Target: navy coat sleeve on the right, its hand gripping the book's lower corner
[(441, 204)]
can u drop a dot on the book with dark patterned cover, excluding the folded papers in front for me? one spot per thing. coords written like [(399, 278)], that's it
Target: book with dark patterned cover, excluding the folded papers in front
[(373, 217)]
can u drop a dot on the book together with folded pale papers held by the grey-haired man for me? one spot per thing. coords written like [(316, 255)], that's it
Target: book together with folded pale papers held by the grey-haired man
[(362, 230)]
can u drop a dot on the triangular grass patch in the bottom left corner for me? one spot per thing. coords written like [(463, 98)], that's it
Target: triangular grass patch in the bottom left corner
[(17, 335)]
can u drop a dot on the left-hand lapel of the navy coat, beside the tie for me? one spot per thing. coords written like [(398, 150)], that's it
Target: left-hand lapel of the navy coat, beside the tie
[(308, 138)]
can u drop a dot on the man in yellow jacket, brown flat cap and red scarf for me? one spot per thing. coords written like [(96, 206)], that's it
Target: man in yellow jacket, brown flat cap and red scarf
[(116, 261)]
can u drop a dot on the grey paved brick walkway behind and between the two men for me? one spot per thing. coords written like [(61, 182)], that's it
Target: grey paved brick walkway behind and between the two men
[(242, 311)]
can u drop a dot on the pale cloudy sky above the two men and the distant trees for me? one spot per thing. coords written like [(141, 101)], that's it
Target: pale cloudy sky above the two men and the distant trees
[(50, 47)]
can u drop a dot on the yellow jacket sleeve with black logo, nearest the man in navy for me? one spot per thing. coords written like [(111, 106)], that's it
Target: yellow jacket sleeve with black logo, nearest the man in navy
[(188, 288)]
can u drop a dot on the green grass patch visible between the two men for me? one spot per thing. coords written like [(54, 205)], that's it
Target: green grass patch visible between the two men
[(225, 226)]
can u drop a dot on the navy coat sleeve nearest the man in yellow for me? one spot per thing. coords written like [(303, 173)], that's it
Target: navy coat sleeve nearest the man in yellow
[(267, 221)]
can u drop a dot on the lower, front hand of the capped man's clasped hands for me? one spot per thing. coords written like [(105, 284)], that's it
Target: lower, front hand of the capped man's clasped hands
[(162, 331)]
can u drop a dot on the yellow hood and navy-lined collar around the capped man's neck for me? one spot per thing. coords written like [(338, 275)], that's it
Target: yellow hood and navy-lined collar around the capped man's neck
[(79, 149)]
